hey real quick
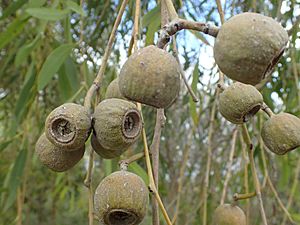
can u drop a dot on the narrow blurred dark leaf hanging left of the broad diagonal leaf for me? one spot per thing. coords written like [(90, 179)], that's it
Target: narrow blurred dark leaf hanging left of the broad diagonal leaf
[(25, 92)]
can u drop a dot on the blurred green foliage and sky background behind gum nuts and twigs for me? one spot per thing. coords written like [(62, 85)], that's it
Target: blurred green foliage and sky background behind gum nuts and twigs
[(50, 51)]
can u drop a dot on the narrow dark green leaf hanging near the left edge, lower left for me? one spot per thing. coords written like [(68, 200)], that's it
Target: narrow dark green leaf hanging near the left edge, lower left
[(15, 178)]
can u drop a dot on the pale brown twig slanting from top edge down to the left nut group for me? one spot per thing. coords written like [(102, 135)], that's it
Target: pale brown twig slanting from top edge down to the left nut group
[(97, 81)]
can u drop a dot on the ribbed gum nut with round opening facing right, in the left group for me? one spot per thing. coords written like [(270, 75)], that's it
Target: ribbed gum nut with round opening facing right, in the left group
[(117, 124)]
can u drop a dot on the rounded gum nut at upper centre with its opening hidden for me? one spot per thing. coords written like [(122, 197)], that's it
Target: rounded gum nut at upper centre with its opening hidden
[(150, 76)]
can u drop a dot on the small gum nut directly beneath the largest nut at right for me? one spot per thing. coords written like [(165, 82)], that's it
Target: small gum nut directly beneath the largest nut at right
[(239, 102)]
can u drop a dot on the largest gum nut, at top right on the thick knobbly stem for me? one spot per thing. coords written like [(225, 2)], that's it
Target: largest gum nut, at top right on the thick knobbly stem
[(248, 46)]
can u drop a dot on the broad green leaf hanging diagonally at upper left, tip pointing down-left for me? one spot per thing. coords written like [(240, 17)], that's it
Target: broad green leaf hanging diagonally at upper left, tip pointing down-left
[(53, 63)]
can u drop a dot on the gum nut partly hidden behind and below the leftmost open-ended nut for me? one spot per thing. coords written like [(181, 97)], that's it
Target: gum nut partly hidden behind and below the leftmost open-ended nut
[(54, 158)]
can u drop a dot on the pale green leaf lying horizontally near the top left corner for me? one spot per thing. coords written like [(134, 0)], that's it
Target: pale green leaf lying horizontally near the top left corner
[(47, 13)]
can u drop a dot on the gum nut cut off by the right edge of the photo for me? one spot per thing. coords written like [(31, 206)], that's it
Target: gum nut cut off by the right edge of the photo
[(281, 133)]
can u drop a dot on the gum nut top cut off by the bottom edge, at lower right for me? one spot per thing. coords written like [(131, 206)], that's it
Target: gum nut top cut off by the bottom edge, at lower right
[(228, 214)]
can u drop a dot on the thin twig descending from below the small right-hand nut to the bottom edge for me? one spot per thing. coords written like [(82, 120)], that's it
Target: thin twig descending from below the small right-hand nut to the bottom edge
[(248, 141)]
